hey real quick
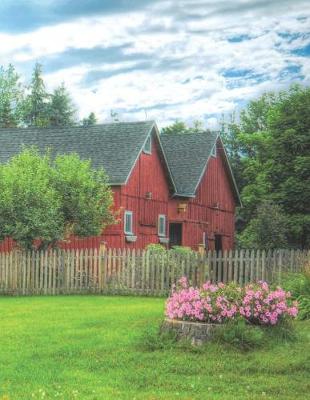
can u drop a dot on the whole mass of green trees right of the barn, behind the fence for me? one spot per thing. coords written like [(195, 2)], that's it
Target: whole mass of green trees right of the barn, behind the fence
[(269, 151)]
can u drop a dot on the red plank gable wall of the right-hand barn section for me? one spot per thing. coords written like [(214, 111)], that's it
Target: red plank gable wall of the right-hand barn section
[(212, 211)]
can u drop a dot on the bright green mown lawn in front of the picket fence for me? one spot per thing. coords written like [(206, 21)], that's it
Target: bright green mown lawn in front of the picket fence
[(89, 347)]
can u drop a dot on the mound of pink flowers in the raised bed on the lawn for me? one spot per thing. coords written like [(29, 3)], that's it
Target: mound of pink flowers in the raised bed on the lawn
[(219, 303)]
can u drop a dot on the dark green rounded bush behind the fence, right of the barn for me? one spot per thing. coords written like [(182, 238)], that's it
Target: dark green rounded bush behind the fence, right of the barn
[(267, 230)]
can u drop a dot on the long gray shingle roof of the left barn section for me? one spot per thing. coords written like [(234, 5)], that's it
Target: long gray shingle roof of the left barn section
[(115, 146)]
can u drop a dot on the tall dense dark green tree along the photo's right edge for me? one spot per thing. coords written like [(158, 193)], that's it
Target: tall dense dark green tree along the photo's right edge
[(288, 167)]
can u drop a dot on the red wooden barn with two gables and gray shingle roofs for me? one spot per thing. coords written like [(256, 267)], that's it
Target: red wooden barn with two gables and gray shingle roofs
[(169, 189)]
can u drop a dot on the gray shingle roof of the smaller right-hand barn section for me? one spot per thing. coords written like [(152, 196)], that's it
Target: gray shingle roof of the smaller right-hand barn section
[(187, 157)]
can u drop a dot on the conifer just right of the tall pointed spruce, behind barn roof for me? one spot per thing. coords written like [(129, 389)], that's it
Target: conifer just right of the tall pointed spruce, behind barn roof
[(61, 109)]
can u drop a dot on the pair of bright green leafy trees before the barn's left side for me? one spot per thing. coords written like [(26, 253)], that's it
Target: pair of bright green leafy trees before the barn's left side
[(45, 200)]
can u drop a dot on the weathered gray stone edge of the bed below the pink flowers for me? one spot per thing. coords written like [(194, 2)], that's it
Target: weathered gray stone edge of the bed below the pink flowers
[(197, 332)]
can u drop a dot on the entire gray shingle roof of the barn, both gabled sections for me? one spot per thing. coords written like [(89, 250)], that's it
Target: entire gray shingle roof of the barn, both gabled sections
[(116, 147)]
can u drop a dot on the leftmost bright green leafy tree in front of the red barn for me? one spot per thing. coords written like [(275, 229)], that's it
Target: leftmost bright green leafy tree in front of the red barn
[(30, 207)]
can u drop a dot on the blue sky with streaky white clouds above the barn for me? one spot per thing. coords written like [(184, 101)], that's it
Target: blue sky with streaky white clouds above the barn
[(164, 60)]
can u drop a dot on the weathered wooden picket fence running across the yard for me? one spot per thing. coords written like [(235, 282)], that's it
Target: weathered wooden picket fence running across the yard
[(137, 272)]
